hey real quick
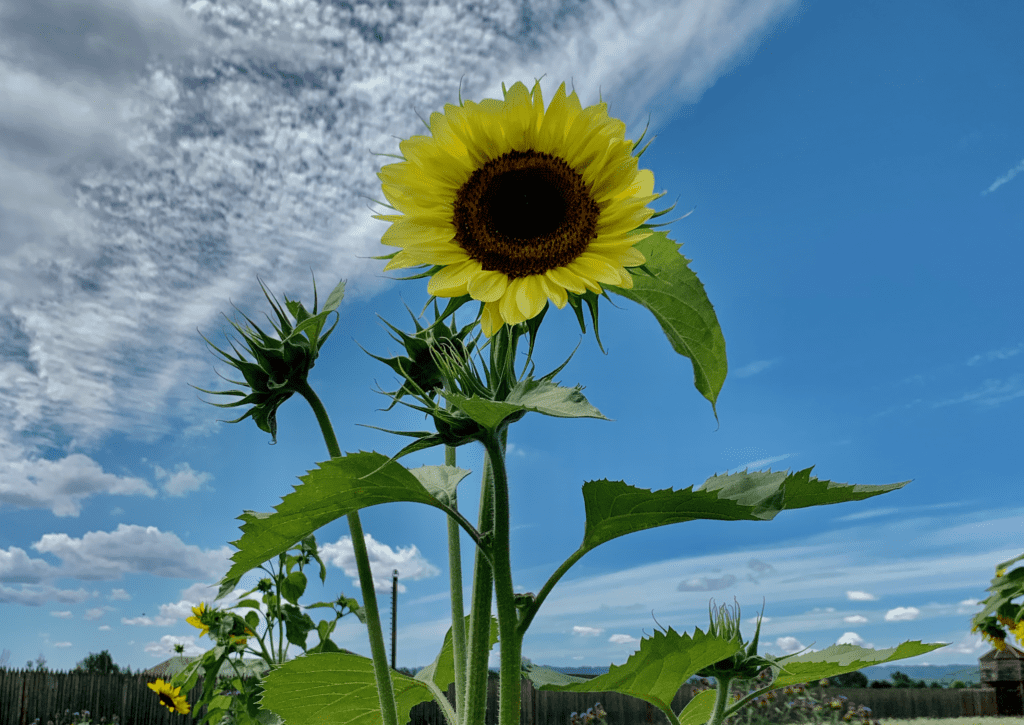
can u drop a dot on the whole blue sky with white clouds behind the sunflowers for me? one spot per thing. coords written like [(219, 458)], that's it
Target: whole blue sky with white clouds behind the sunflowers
[(859, 226)]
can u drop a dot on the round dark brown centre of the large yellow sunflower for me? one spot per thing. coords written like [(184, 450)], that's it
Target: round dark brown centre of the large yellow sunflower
[(525, 214)]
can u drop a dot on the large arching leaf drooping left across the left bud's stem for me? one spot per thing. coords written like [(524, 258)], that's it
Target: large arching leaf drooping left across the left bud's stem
[(338, 488)]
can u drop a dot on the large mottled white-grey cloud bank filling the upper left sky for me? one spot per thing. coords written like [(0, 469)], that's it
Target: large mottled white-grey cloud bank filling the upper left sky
[(174, 143)]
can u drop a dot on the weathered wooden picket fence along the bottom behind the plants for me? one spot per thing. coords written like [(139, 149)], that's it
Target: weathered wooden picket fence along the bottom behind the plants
[(27, 696)]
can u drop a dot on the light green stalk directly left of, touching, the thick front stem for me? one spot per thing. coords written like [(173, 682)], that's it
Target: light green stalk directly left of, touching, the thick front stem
[(475, 709)]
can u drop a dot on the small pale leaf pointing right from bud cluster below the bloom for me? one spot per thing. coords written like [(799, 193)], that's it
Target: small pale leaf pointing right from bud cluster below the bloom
[(530, 396)]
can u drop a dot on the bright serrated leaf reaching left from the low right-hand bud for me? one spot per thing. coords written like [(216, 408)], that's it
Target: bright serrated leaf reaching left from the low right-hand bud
[(656, 672)]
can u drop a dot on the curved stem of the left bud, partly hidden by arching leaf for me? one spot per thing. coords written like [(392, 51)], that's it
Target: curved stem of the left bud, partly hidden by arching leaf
[(382, 674)]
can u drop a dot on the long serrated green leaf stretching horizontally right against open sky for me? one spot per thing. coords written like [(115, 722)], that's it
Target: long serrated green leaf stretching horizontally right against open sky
[(615, 509)]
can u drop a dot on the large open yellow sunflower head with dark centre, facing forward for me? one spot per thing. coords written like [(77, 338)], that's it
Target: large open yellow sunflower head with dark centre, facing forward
[(517, 206)]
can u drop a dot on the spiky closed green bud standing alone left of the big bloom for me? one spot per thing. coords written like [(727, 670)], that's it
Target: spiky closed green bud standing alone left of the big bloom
[(282, 364)]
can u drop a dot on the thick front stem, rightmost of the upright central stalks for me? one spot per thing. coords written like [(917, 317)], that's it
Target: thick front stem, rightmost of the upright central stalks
[(510, 695)]
